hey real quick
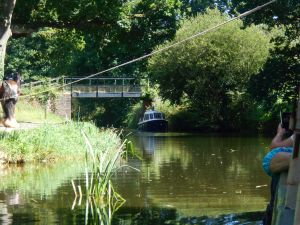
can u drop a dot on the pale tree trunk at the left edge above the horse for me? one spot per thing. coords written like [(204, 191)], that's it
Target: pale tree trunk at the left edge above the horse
[(6, 11)]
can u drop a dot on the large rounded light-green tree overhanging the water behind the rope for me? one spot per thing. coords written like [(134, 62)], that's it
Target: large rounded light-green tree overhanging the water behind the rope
[(213, 70)]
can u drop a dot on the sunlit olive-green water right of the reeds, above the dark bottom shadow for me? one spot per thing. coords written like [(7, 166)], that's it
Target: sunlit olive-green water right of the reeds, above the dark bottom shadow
[(198, 175)]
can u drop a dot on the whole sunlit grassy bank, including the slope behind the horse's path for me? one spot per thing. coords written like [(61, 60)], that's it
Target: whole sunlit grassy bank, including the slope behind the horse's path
[(54, 138)]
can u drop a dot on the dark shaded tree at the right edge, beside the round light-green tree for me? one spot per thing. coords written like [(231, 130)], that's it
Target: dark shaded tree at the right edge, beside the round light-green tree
[(274, 87)]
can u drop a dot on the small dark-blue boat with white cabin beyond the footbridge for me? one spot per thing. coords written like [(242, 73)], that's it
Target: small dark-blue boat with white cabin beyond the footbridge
[(153, 121)]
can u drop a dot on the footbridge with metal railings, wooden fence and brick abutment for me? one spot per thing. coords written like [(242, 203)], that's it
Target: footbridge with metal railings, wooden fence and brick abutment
[(80, 87)]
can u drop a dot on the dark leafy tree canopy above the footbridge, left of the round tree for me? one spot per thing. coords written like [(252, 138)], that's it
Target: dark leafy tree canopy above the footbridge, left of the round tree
[(109, 33)]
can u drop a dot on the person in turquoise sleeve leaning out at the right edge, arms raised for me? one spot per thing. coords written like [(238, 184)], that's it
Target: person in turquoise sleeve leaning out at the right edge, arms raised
[(276, 161)]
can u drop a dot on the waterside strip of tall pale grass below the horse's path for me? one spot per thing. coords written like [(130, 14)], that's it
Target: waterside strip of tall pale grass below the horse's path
[(56, 141)]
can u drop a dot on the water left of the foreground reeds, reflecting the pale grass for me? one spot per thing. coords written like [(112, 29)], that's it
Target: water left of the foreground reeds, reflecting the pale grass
[(32, 194)]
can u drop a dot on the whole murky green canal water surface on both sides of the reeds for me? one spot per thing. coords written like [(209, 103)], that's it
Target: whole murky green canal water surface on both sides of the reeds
[(177, 178)]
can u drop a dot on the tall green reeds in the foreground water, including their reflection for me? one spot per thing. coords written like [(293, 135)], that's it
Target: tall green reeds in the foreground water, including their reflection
[(102, 201)]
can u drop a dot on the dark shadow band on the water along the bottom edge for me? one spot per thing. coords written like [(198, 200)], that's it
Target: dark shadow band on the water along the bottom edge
[(134, 216)]
